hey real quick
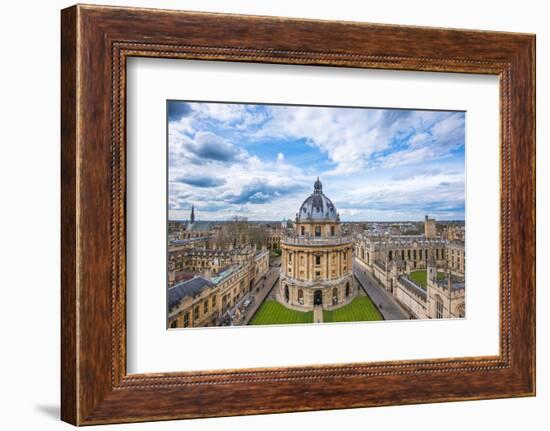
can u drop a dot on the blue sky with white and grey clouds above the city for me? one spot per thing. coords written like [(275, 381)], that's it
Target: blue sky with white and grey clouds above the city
[(260, 161)]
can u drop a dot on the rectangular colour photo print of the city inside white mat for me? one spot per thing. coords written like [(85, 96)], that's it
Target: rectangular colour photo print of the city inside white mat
[(291, 214)]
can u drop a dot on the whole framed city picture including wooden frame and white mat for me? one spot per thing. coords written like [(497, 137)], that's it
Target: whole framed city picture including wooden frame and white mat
[(263, 215)]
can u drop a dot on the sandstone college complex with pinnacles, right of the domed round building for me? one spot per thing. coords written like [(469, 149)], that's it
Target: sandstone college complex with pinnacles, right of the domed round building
[(390, 260)]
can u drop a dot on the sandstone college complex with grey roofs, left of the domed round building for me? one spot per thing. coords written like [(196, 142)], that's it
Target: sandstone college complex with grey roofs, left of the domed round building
[(206, 280)]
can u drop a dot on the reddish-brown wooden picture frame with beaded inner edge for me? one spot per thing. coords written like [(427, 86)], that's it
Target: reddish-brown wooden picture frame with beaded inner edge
[(95, 43)]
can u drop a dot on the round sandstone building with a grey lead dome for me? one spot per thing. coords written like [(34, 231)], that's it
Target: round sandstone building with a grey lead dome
[(316, 261)]
